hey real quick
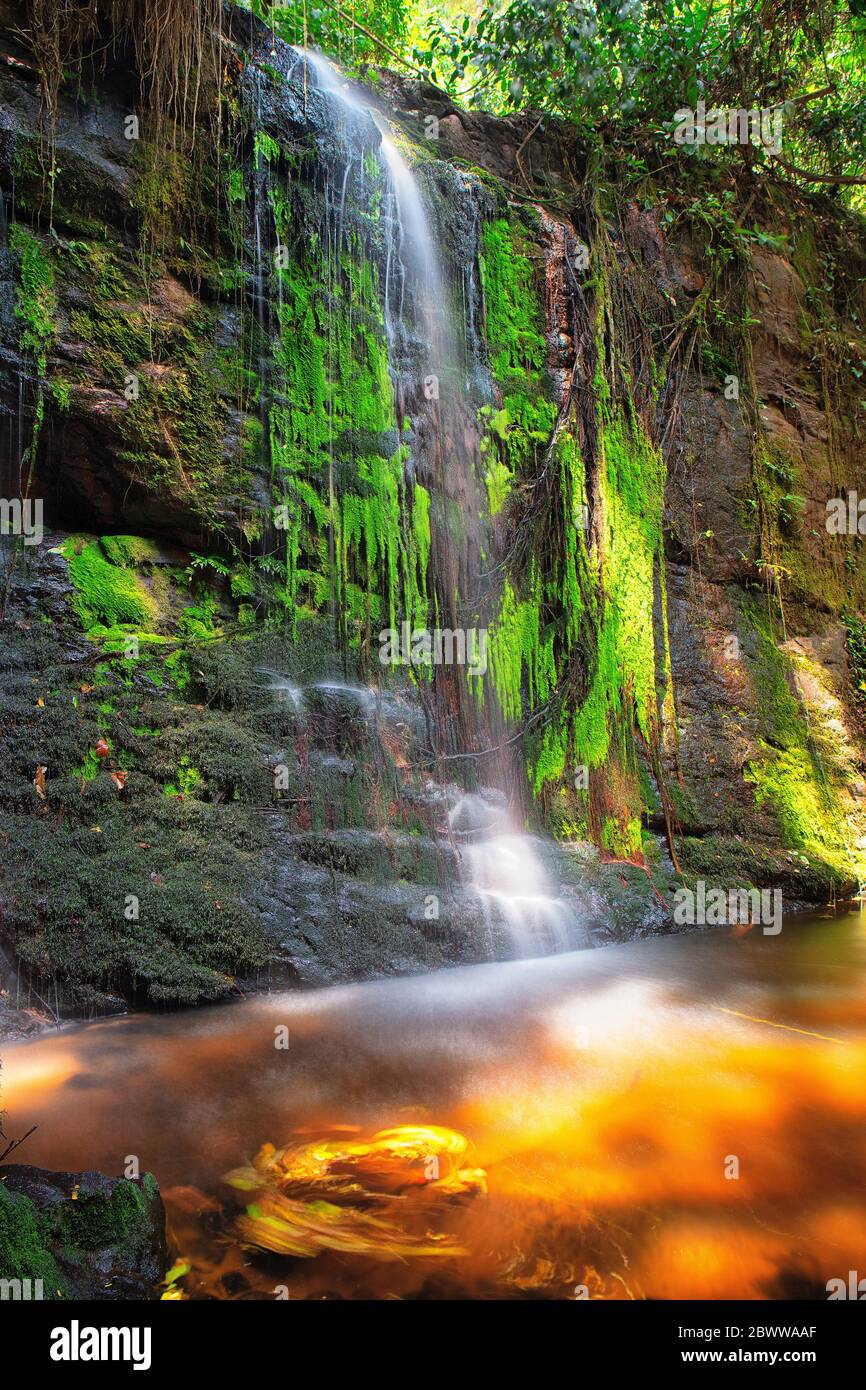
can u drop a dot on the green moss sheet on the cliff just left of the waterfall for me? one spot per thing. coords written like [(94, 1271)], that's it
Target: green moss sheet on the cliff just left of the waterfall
[(357, 529)]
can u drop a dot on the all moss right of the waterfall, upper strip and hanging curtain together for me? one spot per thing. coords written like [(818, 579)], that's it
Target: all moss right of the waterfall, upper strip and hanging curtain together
[(578, 630)]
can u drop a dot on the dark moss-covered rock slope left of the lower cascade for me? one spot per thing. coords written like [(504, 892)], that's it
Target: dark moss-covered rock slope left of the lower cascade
[(162, 892)]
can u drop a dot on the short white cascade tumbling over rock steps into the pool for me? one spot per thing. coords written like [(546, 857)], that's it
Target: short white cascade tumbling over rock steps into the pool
[(505, 871)]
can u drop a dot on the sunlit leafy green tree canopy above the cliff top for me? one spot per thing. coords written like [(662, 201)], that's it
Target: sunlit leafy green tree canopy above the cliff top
[(621, 72)]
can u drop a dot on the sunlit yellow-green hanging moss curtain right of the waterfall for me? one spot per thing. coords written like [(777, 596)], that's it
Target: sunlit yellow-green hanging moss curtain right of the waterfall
[(596, 605)]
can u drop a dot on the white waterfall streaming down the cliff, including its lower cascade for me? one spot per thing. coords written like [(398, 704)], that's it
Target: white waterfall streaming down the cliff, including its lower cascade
[(504, 871)]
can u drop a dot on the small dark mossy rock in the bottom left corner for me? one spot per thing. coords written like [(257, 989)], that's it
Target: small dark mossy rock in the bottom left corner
[(83, 1235)]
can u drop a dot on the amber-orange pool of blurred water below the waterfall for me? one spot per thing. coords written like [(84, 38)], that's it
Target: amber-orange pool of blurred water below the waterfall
[(601, 1096)]
